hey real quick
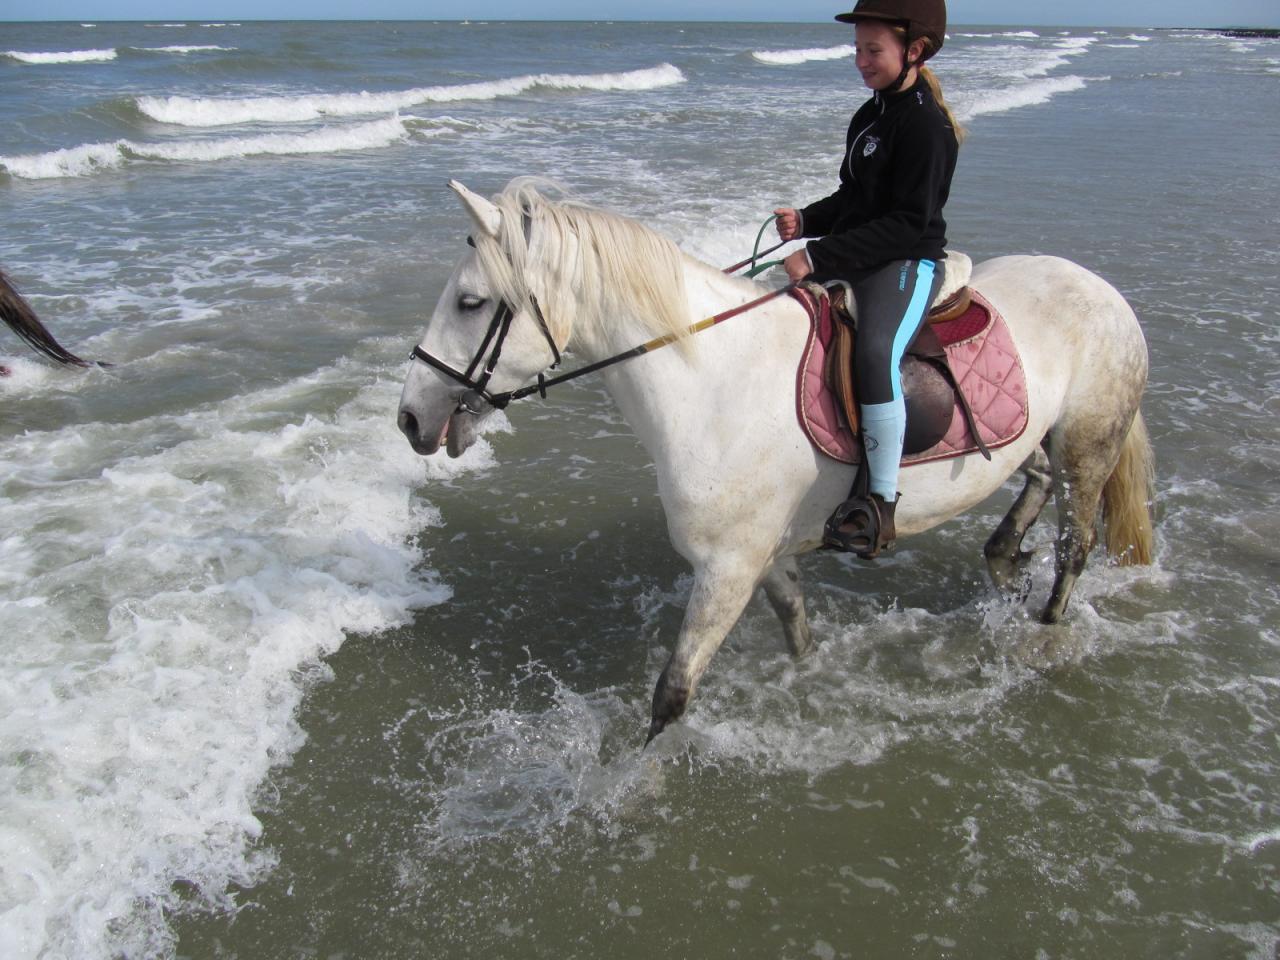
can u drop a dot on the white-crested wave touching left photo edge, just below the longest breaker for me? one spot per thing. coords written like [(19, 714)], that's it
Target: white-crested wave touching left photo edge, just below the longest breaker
[(89, 159)]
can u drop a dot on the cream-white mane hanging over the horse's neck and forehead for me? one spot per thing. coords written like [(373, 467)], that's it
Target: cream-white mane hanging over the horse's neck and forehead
[(592, 263)]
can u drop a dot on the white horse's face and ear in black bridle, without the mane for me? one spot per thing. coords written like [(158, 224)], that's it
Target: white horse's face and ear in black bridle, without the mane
[(487, 335)]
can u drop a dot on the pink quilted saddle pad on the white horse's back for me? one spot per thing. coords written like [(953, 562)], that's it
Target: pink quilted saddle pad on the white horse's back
[(982, 356)]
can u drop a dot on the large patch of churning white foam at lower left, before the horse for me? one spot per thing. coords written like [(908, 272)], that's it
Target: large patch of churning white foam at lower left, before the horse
[(176, 606)]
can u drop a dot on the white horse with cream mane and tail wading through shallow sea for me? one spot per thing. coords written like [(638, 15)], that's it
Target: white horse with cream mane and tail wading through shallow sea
[(743, 488)]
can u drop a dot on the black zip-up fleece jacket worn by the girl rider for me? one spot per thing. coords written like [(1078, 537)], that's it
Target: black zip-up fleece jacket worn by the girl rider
[(899, 159)]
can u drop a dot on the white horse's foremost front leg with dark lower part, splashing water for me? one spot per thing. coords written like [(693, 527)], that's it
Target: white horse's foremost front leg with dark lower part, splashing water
[(720, 595)]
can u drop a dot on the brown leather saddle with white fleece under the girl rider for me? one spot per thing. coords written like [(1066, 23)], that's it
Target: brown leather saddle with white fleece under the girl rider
[(929, 383)]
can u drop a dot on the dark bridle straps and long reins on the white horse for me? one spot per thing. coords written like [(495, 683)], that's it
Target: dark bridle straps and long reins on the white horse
[(501, 326)]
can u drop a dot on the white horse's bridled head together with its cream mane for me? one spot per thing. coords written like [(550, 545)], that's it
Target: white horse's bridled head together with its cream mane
[(537, 273)]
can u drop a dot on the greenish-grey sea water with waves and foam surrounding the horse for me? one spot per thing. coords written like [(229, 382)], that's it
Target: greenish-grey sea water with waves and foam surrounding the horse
[(271, 685)]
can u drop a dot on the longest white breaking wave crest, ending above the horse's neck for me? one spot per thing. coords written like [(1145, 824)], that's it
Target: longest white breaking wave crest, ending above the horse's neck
[(214, 112)]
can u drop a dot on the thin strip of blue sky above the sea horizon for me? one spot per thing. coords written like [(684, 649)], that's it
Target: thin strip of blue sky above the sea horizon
[(1067, 13)]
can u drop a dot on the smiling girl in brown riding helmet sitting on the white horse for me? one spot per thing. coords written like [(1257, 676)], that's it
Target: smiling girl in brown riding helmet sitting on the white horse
[(883, 232)]
